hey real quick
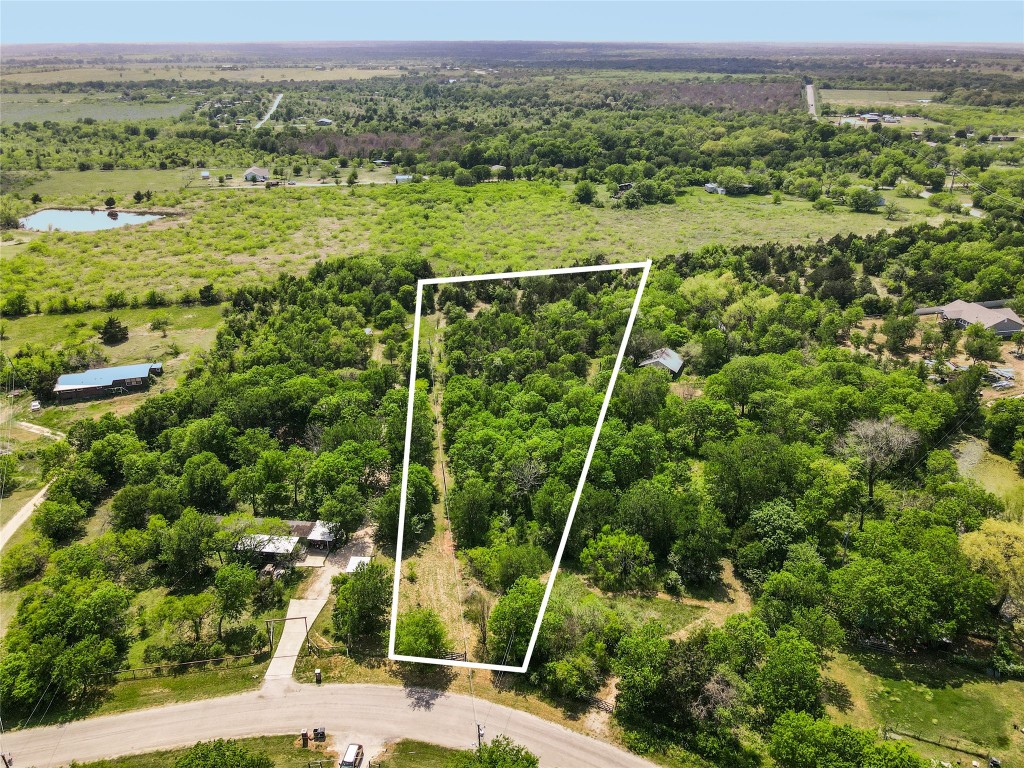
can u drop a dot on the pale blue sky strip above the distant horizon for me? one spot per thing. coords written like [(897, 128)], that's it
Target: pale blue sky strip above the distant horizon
[(585, 21)]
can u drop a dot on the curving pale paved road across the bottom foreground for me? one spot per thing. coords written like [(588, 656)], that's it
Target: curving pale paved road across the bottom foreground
[(371, 715)]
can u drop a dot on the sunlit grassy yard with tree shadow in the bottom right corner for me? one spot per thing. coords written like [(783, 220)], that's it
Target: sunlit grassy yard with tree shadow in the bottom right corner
[(931, 700)]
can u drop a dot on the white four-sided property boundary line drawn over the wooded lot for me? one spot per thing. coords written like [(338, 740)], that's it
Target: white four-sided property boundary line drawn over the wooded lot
[(646, 266)]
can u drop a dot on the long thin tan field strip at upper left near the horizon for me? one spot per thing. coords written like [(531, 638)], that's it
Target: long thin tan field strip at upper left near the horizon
[(143, 73)]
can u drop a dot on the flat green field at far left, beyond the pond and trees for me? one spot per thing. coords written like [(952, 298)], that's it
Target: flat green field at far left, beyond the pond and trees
[(19, 108)]
